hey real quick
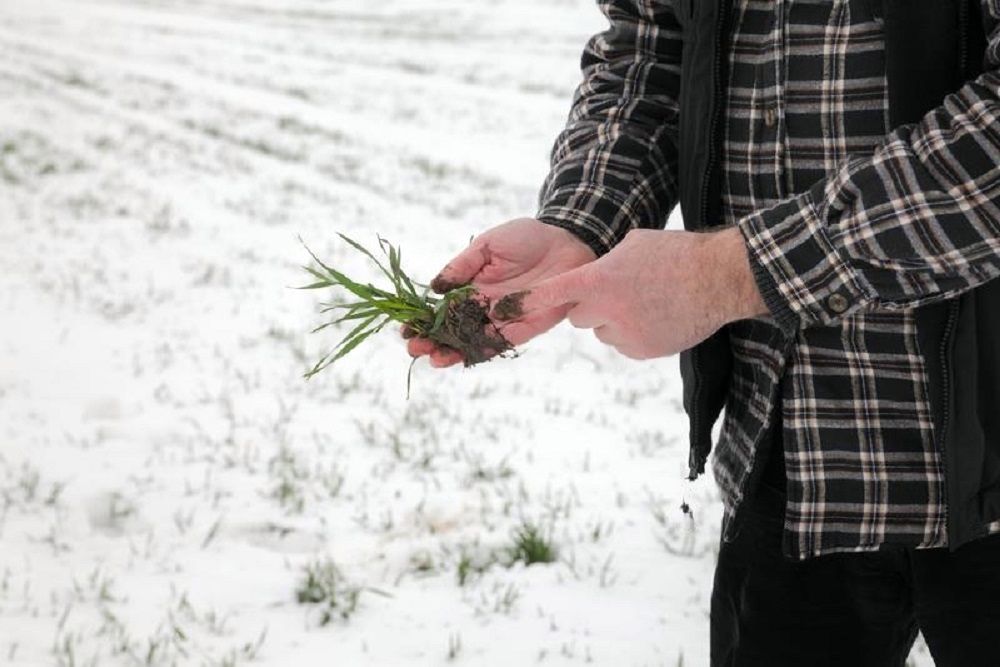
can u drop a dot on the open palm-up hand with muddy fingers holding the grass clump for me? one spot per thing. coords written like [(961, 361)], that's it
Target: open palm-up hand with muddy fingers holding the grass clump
[(508, 258)]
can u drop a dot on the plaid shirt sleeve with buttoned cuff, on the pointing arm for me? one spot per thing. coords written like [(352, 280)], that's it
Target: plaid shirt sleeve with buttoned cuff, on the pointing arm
[(915, 222)]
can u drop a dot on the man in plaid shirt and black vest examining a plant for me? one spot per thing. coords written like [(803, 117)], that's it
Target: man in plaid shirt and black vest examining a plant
[(839, 163)]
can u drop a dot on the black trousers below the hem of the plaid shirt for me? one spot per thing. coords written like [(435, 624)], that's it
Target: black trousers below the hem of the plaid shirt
[(853, 609)]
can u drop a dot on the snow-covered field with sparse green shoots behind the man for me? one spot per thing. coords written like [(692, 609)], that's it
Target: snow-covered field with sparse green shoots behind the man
[(167, 477)]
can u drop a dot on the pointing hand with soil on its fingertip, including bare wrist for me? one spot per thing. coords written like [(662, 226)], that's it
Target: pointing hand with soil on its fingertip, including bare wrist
[(656, 293)]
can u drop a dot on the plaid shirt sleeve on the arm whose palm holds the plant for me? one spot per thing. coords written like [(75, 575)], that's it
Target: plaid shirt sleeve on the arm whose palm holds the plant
[(614, 166)]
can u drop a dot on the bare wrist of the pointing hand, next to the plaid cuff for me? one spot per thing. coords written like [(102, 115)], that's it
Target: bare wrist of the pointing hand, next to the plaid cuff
[(738, 290)]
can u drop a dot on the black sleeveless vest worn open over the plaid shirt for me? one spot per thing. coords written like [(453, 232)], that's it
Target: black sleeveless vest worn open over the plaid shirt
[(932, 48)]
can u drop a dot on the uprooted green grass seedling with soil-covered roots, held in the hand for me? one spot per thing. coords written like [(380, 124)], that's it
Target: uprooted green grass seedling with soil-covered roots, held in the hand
[(456, 320)]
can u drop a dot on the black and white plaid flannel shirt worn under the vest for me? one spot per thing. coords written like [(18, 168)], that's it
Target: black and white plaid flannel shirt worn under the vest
[(849, 226)]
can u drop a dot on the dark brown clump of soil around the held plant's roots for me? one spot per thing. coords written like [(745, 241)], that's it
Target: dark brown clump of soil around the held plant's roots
[(467, 328)]
